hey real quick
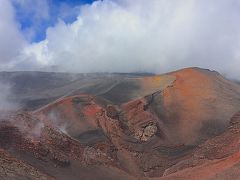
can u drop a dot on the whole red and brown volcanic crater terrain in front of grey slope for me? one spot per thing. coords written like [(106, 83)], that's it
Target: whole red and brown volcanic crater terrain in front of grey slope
[(181, 125)]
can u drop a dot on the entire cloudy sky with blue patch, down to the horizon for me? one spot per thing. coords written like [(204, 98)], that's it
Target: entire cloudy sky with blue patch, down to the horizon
[(120, 35)]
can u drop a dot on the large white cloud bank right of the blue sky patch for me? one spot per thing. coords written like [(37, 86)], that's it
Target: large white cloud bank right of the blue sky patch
[(142, 35)]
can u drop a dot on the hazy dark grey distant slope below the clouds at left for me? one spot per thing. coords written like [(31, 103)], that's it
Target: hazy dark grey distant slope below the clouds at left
[(35, 89)]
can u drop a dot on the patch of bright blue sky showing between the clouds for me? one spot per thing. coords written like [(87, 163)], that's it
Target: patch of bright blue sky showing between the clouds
[(35, 27)]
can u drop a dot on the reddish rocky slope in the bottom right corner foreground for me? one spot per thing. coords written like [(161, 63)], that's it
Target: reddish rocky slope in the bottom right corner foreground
[(217, 158)]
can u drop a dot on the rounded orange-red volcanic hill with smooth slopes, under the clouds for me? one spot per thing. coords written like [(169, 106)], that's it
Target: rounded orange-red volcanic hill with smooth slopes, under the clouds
[(197, 106)]
